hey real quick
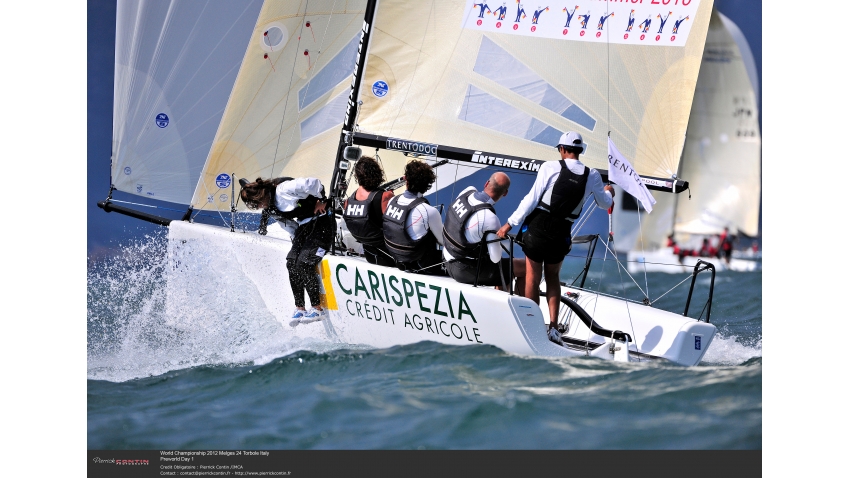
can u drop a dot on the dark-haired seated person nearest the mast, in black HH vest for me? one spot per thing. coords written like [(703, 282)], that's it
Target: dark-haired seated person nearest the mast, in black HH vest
[(364, 209)]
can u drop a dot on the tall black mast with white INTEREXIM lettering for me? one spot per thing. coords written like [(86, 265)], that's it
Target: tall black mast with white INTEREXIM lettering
[(338, 184)]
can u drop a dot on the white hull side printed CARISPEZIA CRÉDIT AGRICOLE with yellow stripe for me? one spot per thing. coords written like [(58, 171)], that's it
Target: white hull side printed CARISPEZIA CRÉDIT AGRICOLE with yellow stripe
[(383, 306)]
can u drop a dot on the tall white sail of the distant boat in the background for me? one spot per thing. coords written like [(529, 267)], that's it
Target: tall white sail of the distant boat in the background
[(722, 157)]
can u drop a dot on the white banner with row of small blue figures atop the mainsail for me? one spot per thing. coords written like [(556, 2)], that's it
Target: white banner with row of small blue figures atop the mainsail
[(631, 22)]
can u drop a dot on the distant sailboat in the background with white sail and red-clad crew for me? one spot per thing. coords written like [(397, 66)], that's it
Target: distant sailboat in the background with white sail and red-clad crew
[(721, 159)]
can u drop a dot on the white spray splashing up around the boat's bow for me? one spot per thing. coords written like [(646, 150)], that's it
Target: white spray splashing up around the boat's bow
[(147, 316)]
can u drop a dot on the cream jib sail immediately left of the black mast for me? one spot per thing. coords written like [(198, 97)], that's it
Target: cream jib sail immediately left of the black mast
[(287, 107)]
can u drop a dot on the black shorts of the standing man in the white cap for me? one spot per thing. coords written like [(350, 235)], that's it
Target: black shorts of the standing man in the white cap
[(545, 239)]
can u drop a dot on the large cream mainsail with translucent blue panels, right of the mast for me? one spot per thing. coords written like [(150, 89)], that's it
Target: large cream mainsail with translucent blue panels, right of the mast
[(434, 75)]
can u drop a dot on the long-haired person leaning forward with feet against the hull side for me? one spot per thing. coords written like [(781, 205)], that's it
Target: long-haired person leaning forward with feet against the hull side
[(301, 208)]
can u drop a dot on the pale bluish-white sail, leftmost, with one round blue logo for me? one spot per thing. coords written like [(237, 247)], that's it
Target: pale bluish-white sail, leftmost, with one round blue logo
[(175, 63)]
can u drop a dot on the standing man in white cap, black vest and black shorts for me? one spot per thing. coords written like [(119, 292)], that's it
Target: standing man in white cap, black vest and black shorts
[(547, 213)]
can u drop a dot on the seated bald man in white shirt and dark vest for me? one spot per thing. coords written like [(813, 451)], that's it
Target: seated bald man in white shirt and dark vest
[(468, 218)]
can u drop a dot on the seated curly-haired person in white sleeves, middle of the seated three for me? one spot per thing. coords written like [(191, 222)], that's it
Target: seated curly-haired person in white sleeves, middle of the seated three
[(412, 227)]
